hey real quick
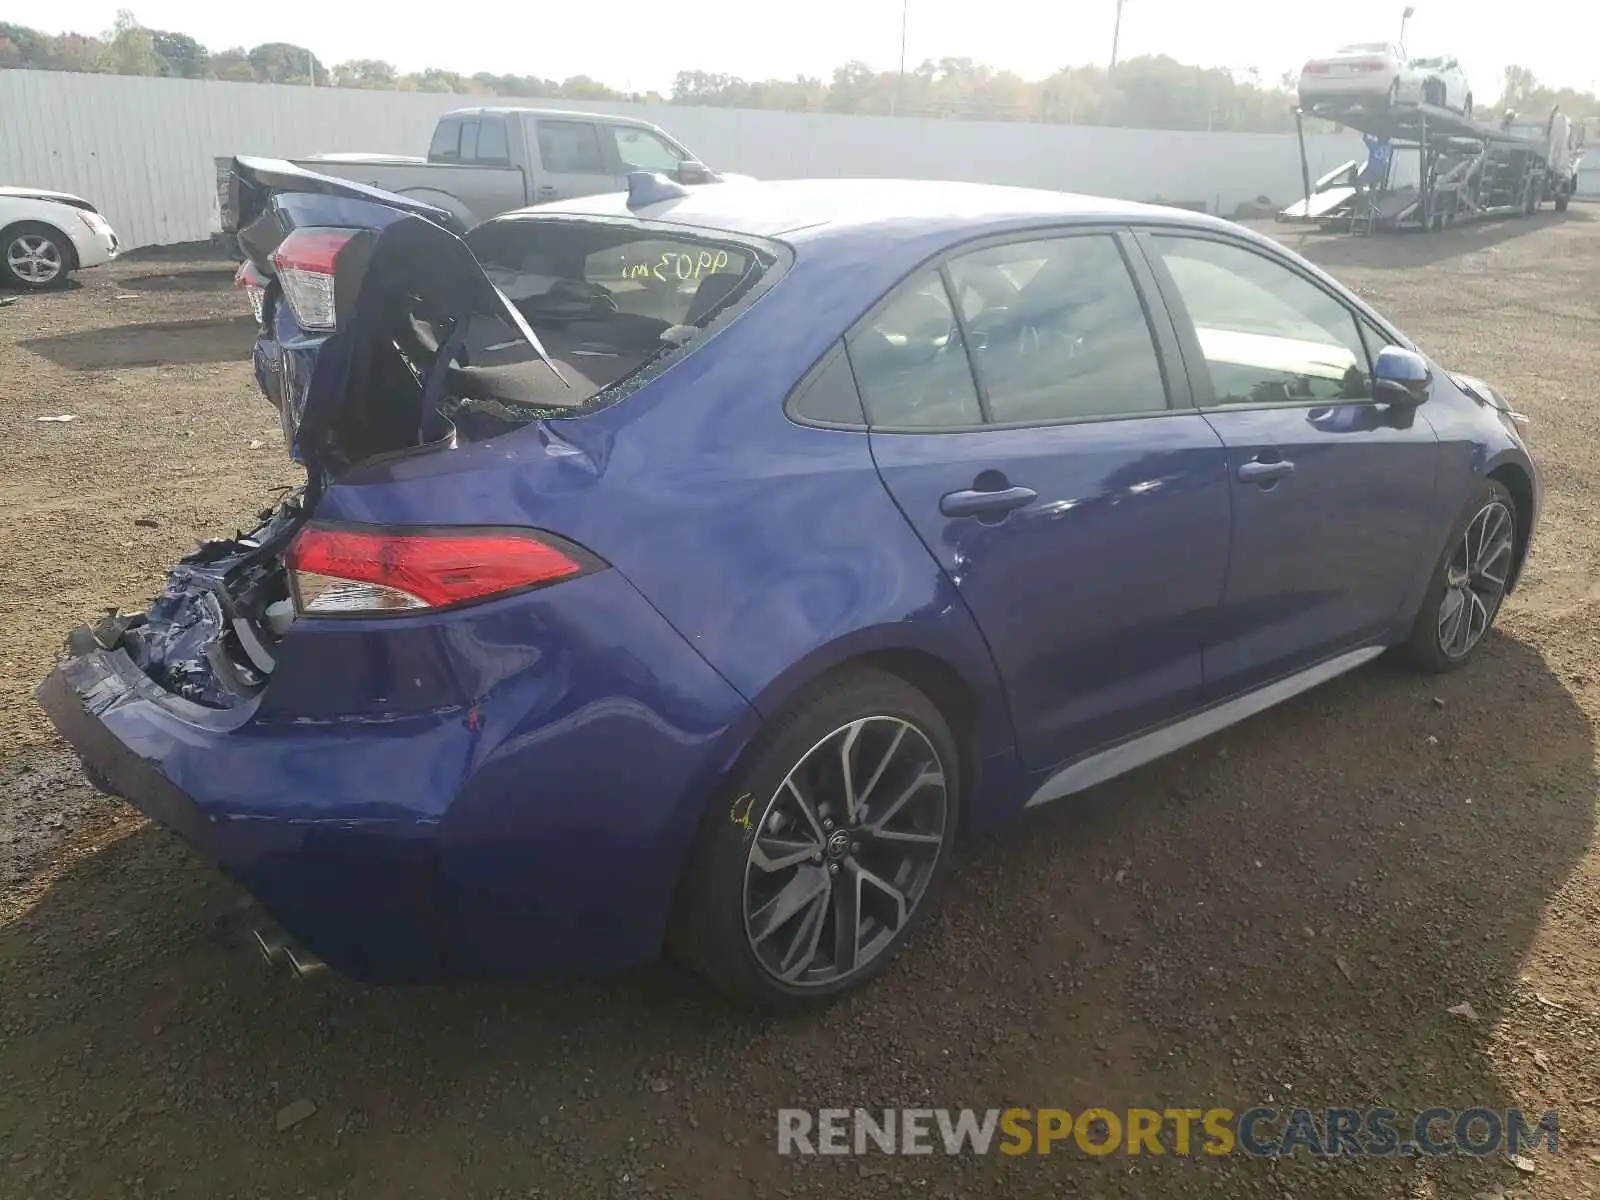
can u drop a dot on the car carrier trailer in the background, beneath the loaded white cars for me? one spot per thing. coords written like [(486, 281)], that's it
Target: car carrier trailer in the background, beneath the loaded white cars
[(1466, 170)]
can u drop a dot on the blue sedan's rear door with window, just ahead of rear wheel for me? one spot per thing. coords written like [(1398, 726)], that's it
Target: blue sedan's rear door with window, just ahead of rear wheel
[(1031, 420)]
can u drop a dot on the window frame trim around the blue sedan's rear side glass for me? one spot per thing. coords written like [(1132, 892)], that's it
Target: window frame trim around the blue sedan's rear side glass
[(1159, 324)]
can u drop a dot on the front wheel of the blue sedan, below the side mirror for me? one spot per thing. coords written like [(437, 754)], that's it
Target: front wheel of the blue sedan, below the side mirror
[(1470, 583)]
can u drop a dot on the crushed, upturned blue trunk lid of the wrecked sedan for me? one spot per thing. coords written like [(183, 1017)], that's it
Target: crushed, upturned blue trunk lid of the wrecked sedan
[(372, 305)]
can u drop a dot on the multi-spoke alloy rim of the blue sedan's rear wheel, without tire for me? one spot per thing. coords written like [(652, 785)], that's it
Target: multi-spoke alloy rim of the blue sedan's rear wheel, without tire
[(844, 852)]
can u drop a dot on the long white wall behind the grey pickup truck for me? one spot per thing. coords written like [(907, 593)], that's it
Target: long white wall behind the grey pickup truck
[(143, 150)]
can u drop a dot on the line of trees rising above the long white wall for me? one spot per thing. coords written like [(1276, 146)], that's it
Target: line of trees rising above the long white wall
[(1151, 92)]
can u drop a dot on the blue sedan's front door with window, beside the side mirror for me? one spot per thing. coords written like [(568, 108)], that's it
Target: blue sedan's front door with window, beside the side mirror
[(1332, 487)]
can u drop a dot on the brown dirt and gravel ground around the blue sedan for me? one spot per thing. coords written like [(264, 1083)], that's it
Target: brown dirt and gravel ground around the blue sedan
[(1281, 916)]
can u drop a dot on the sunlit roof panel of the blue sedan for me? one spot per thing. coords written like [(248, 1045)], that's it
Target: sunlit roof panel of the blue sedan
[(799, 210)]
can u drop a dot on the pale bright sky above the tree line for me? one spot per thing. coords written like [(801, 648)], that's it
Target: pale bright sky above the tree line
[(636, 46)]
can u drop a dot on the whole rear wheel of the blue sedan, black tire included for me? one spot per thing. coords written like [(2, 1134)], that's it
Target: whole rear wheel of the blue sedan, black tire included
[(820, 862)]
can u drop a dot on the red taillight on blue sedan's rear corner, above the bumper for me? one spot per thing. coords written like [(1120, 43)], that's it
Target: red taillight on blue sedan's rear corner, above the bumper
[(366, 572)]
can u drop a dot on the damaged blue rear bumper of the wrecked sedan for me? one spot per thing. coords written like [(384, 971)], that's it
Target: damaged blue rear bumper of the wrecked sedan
[(537, 828)]
